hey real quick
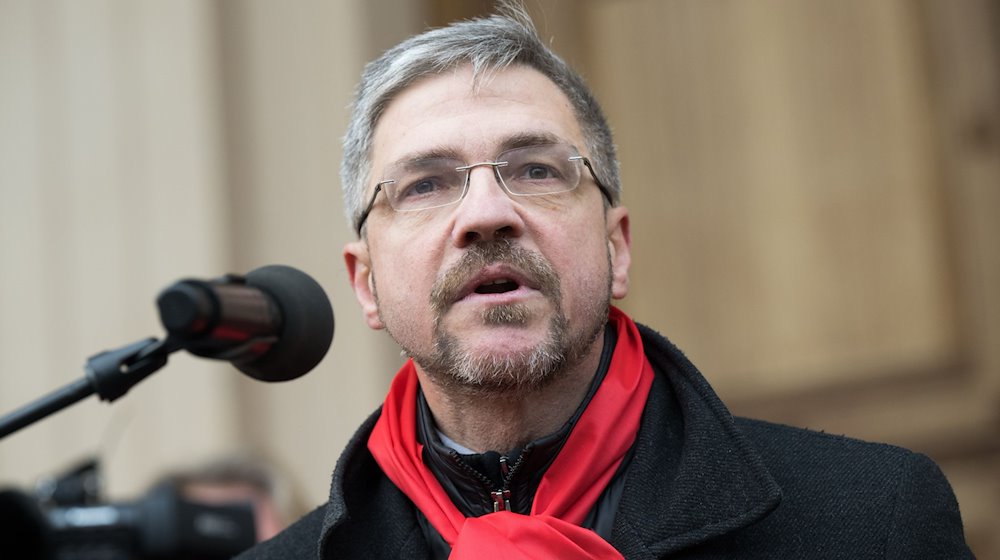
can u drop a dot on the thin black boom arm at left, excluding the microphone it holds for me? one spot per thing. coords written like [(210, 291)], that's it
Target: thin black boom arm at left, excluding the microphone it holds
[(110, 374)]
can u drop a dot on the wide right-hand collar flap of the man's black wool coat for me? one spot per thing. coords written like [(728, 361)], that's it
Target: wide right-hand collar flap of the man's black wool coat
[(694, 476)]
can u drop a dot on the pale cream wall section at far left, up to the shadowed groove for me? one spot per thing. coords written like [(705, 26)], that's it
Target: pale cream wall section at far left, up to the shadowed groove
[(112, 183)]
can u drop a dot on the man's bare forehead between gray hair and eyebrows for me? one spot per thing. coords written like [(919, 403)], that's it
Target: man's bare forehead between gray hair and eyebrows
[(453, 113)]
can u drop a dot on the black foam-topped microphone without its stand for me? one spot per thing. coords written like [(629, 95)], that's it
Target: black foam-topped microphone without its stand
[(274, 324)]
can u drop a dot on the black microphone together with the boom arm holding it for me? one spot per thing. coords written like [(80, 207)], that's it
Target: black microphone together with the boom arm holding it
[(274, 324)]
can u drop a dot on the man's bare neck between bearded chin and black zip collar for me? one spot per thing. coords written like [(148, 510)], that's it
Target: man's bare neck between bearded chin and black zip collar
[(507, 419)]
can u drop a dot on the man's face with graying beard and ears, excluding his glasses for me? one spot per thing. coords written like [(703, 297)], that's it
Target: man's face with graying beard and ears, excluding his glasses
[(494, 291)]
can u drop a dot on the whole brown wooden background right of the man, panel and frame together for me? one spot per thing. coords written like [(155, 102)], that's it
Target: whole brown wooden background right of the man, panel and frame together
[(815, 189)]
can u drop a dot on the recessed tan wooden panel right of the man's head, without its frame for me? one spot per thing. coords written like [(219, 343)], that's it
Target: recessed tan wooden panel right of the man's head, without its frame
[(786, 184)]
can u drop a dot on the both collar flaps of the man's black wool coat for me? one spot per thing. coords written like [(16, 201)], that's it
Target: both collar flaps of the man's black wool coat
[(694, 476)]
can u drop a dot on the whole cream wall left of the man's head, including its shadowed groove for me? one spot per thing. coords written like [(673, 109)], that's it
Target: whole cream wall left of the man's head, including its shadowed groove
[(142, 142)]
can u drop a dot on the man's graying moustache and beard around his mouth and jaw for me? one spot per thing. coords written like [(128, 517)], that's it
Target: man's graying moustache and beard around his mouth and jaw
[(449, 364)]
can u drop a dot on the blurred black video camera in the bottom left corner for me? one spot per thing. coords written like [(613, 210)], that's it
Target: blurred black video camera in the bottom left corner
[(67, 524)]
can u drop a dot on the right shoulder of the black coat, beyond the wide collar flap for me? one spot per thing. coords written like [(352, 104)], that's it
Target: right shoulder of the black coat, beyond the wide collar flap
[(893, 502)]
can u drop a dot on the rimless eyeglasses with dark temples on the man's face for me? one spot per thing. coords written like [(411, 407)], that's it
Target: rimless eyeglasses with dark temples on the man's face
[(426, 184)]
